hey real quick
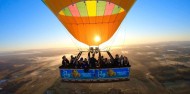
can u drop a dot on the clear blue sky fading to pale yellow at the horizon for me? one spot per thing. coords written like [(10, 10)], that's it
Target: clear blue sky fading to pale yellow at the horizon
[(29, 24)]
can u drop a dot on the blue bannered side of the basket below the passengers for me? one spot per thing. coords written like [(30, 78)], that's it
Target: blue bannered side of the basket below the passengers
[(95, 75)]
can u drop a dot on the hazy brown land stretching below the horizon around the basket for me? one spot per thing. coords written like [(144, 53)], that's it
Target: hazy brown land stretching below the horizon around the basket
[(156, 68)]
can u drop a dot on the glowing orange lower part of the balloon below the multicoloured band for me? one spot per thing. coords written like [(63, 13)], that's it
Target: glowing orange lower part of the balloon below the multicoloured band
[(87, 31)]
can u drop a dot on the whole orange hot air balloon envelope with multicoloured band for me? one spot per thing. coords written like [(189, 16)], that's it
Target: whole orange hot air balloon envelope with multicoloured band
[(90, 21)]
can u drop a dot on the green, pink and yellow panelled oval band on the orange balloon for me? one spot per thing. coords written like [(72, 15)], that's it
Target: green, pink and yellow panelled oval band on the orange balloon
[(91, 9)]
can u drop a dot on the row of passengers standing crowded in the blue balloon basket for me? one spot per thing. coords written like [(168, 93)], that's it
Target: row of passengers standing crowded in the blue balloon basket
[(83, 63)]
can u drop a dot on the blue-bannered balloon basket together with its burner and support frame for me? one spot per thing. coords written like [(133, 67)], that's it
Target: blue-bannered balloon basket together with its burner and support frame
[(99, 74)]
